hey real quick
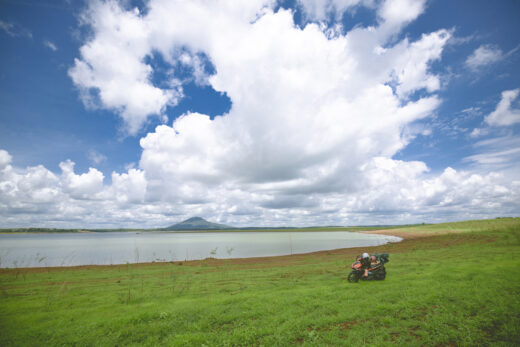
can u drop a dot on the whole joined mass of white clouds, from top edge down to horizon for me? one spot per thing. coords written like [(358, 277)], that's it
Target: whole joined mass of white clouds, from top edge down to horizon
[(315, 122)]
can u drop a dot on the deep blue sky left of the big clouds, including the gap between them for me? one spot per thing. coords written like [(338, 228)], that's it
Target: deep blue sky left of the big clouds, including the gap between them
[(43, 119)]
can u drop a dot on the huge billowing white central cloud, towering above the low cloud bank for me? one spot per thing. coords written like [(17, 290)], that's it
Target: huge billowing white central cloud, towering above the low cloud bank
[(303, 118)]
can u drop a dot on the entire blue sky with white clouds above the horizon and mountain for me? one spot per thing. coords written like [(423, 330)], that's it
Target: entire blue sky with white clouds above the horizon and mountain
[(258, 113)]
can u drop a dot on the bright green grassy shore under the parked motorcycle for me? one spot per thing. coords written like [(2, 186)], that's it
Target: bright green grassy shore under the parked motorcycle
[(446, 289)]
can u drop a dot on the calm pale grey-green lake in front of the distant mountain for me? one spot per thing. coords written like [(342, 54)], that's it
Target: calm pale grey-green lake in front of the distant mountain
[(105, 248)]
